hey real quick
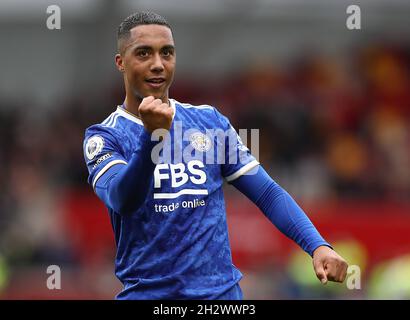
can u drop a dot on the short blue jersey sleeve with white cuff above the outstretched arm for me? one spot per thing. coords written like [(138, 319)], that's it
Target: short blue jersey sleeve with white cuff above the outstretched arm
[(238, 158)]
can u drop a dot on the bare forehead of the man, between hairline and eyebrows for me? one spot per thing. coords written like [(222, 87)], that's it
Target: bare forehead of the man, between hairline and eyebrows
[(150, 35)]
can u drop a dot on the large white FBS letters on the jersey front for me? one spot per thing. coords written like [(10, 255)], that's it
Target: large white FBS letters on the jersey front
[(177, 173)]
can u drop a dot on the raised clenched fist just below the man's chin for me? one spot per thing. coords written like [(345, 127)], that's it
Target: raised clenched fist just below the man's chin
[(155, 114)]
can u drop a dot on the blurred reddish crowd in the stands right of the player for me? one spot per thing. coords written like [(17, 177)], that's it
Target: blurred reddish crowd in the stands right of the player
[(330, 127)]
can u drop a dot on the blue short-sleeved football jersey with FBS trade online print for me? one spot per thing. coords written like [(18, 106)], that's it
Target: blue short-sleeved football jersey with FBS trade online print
[(175, 245)]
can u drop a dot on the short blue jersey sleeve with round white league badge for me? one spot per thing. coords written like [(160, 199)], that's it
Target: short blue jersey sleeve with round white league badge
[(101, 152)]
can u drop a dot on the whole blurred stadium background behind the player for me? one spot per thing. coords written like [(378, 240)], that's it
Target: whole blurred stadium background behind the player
[(332, 106)]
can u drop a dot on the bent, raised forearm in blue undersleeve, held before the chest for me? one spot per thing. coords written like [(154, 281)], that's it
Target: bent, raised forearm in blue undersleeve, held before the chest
[(124, 187)]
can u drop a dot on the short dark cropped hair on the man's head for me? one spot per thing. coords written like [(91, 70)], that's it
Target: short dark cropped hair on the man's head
[(137, 19)]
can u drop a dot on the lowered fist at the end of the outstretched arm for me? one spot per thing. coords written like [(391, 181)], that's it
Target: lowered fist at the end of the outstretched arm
[(328, 265)]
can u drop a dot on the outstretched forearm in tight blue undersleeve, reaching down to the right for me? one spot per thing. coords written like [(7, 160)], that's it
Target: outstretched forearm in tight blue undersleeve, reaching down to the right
[(280, 208)]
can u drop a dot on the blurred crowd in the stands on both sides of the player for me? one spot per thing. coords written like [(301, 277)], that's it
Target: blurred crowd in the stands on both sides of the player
[(331, 127)]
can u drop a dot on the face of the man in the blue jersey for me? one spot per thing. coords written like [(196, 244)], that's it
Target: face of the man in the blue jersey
[(148, 61)]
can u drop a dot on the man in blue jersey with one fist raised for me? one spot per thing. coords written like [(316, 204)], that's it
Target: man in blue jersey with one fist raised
[(159, 166)]
